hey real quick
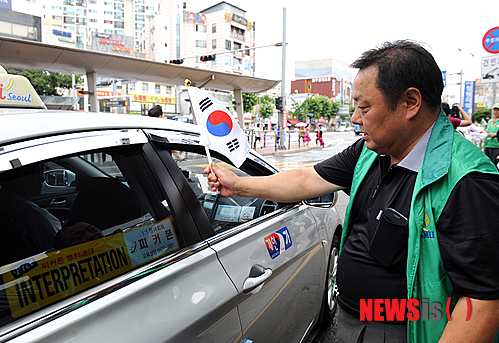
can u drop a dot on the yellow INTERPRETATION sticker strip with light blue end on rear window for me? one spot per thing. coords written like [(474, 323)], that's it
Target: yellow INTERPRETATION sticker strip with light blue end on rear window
[(43, 279)]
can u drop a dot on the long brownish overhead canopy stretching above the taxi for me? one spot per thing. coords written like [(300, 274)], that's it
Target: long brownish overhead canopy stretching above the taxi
[(23, 54)]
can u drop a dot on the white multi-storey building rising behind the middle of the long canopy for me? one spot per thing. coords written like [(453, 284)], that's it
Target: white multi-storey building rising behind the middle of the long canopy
[(177, 33)]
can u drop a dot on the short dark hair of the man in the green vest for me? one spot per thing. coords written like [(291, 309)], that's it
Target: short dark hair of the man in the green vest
[(401, 65)]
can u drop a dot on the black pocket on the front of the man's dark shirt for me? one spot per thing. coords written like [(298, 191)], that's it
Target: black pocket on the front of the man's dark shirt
[(388, 245)]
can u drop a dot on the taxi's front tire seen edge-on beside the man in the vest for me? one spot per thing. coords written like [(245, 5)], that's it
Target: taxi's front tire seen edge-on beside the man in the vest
[(329, 303)]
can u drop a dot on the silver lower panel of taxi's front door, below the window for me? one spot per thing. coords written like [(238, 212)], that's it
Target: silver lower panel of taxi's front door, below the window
[(276, 264)]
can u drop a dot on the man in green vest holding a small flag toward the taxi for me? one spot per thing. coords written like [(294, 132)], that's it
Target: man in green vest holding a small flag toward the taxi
[(419, 226)]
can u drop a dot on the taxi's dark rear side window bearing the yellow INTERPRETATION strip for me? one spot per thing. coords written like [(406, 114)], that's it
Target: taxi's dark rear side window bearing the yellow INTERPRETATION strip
[(74, 222)]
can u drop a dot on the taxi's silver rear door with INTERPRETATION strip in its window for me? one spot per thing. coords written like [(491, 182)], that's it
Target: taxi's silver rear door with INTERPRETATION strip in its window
[(148, 277)]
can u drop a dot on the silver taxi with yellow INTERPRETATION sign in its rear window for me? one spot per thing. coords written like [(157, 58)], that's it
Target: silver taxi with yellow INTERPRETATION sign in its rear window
[(143, 251)]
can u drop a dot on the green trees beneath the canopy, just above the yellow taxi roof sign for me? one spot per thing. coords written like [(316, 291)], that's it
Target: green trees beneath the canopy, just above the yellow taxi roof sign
[(46, 83)]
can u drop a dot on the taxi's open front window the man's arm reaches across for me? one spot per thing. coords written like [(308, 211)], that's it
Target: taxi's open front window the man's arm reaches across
[(223, 213)]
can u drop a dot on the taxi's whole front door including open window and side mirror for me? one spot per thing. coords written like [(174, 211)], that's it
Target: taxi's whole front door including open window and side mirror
[(271, 252)]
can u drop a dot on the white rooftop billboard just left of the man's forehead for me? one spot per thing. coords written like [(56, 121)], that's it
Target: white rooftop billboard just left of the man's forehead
[(323, 68)]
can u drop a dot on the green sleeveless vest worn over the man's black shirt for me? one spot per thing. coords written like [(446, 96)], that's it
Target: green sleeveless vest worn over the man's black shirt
[(449, 156)]
